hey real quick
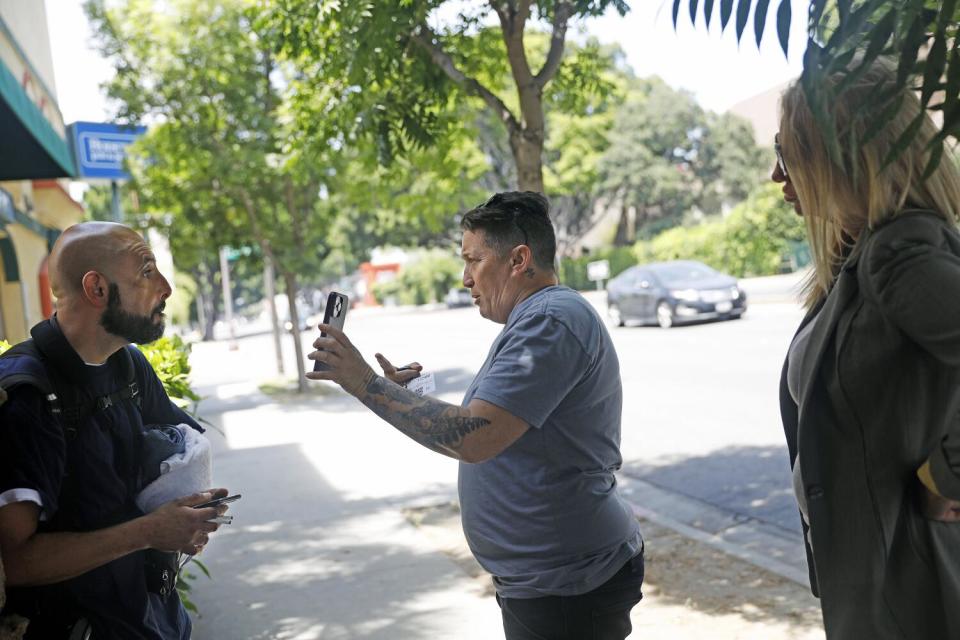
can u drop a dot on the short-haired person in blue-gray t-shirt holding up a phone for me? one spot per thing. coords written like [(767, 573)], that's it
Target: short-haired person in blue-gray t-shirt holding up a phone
[(537, 434)]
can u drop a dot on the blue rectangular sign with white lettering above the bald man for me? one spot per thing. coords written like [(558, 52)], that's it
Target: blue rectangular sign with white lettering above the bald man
[(100, 148)]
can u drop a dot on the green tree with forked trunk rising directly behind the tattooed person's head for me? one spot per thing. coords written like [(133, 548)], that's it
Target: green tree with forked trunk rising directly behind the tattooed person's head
[(403, 91)]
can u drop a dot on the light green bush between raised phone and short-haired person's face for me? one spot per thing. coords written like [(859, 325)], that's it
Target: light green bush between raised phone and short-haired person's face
[(426, 279)]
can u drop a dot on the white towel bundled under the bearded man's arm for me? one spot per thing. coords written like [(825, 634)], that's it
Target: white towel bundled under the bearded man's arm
[(181, 474)]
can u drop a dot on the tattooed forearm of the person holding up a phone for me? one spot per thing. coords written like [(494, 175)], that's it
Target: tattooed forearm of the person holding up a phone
[(436, 425)]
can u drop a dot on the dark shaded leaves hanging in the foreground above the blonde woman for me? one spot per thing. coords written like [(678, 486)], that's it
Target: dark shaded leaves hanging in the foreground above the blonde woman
[(922, 35)]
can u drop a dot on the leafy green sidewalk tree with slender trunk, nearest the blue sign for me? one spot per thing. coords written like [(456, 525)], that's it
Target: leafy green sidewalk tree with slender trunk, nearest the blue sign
[(204, 72)]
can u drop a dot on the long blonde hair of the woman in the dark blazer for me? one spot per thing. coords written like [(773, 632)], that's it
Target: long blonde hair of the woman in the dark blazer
[(838, 202)]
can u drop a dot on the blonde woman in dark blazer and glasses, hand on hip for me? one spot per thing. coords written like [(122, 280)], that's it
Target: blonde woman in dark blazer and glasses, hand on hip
[(870, 392)]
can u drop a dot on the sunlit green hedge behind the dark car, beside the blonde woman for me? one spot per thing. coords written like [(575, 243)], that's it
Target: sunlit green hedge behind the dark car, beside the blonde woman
[(756, 239)]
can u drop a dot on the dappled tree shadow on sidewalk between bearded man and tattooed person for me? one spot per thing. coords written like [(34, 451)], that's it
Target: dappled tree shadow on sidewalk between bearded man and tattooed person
[(300, 561)]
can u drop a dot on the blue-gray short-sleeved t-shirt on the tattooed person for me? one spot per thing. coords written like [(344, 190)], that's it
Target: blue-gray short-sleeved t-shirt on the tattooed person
[(545, 517)]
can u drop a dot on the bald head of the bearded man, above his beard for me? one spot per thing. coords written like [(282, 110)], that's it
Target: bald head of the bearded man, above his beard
[(90, 246)]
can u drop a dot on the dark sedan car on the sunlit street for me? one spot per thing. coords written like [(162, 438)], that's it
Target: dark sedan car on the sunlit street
[(669, 293)]
